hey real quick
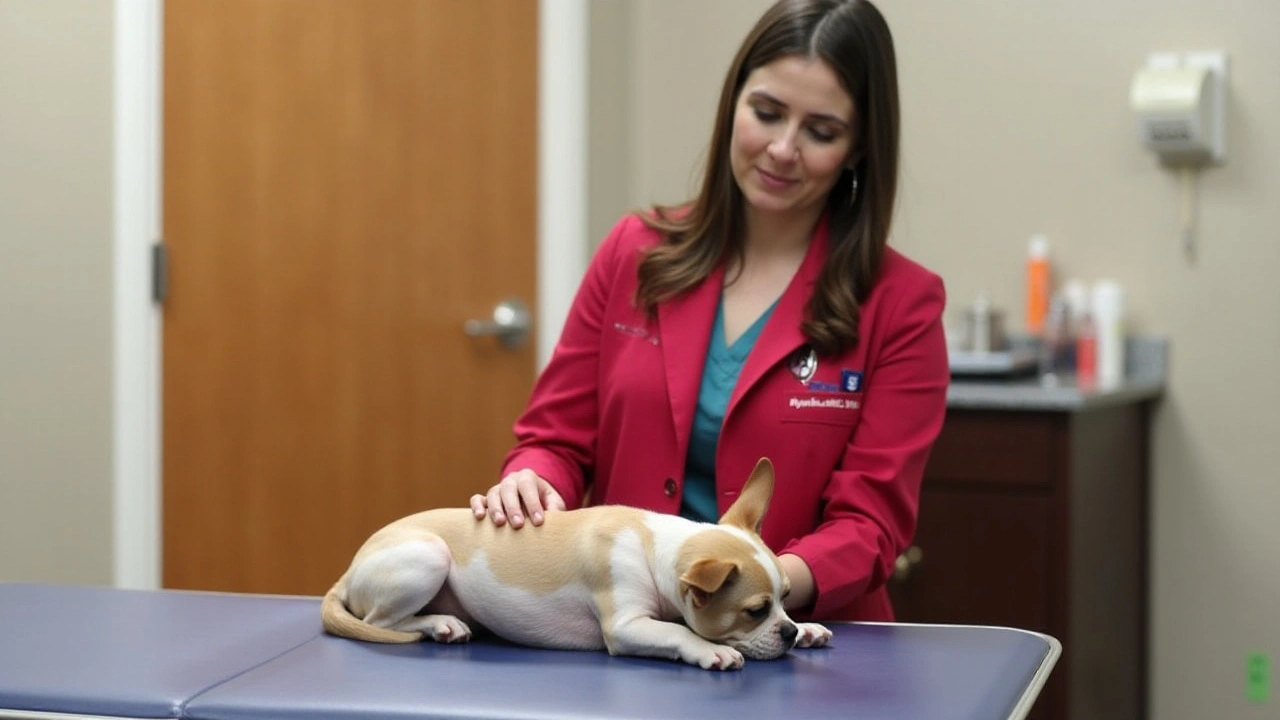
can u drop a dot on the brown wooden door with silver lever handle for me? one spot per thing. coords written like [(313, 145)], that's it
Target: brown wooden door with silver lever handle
[(346, 183)]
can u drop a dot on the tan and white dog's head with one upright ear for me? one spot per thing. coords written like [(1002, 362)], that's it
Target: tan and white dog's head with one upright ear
[(732, 587)]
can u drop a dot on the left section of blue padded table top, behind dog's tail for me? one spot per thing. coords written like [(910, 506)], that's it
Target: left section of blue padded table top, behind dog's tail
[(104, 651)]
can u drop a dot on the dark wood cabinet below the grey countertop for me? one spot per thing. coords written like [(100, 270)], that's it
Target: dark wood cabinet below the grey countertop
[(1039, 520)]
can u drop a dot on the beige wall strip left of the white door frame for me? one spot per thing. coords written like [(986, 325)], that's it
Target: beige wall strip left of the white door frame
[(56, 290)]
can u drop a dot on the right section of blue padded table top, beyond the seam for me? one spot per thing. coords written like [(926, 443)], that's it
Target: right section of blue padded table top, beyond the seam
[(871, 671)]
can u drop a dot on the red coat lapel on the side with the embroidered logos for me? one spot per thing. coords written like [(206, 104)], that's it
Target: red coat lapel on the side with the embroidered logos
[(781, 335)]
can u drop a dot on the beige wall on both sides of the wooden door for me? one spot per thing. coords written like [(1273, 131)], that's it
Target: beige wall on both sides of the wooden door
[(1016, 122)]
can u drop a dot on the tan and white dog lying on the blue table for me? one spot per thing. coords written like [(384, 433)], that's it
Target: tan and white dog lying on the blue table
[(629, 581)]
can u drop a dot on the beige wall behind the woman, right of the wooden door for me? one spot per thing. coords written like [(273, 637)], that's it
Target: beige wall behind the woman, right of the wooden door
[(1017, 121)]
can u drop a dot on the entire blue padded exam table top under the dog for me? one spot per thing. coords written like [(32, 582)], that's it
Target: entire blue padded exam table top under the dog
[(213, 657)]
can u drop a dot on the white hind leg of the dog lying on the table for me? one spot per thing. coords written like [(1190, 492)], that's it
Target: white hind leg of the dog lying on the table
[(395, 584)]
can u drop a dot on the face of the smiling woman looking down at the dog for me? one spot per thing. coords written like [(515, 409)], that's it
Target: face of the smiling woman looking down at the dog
[(793, 136)]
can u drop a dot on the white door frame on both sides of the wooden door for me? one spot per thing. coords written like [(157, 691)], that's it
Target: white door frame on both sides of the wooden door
[(136, 354)]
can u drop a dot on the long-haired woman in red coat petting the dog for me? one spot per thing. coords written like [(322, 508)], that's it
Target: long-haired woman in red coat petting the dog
[(766, 317)]
